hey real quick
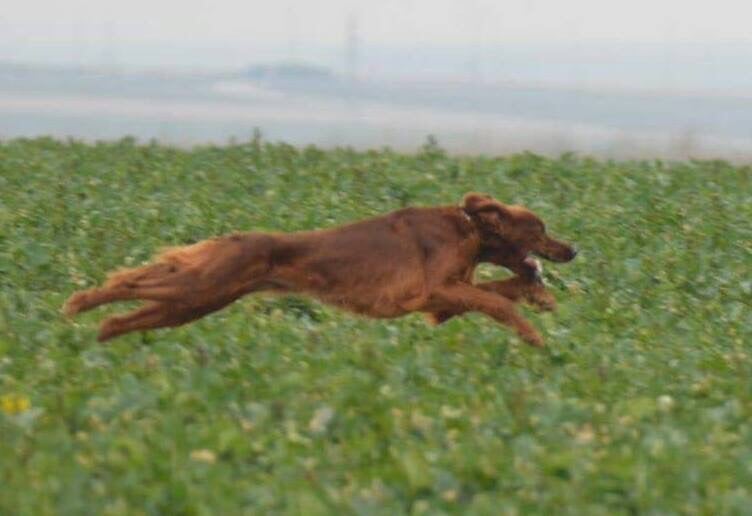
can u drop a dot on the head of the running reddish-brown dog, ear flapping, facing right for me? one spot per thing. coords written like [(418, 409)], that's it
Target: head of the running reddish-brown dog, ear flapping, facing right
[(500, 225)]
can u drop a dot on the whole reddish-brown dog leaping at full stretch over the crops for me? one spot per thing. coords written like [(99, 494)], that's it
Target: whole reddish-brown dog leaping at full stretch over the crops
[(411, 260)]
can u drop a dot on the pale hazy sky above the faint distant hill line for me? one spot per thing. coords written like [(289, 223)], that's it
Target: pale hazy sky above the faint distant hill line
[(670, 44)]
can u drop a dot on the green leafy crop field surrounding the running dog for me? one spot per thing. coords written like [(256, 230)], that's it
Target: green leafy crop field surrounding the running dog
[(640, 404)]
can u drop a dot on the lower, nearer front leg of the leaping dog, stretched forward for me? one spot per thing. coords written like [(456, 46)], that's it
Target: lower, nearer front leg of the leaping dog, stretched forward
[(460, 298)]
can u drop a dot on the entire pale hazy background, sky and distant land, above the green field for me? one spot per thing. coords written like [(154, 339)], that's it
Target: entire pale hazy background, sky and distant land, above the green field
[(623, 79)]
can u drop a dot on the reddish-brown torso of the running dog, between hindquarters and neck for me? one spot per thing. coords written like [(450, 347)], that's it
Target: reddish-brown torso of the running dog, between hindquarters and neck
[(382, 267)]
